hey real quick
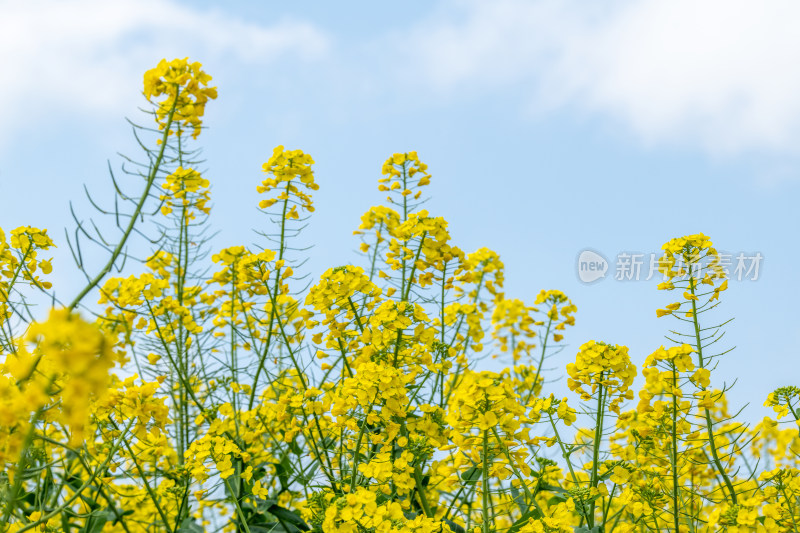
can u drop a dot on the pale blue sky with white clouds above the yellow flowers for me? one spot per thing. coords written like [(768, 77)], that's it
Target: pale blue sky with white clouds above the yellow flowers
[(548, 128)]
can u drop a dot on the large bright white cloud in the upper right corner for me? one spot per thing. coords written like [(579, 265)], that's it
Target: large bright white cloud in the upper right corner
[(722, 74)]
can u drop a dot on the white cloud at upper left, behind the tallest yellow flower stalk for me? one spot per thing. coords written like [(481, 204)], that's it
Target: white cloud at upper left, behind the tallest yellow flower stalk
[(89, 55)]
